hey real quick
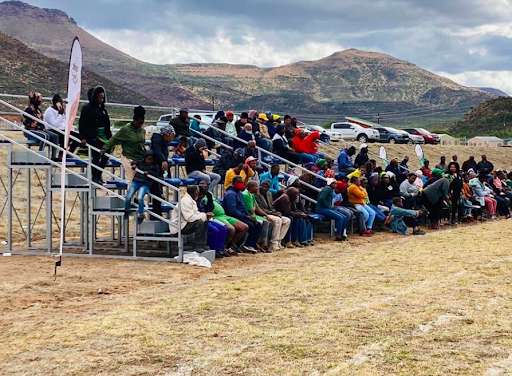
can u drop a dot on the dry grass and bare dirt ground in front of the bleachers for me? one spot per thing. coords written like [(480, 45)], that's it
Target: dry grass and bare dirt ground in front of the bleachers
[(433, 305)]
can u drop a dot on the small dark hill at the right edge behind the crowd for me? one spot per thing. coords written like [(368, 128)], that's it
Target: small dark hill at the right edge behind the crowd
[(491, 118)]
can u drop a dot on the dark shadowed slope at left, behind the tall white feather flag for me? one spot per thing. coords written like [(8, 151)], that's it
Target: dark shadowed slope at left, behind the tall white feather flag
[(23, 70)]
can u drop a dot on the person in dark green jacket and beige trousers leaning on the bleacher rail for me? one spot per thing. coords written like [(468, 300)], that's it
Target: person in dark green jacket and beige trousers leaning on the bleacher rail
[(132, 139)]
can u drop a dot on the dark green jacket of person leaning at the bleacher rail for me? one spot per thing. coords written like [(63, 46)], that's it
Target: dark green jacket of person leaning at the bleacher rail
[(132, 140)]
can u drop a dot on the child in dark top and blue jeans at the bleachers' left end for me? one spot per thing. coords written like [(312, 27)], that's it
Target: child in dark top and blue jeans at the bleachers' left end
[(141, 183)]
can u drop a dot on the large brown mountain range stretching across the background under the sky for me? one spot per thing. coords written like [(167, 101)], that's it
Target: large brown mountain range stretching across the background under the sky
[(350, 82)]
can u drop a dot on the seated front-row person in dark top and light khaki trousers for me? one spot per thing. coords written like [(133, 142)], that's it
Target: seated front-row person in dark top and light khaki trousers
[(281, 223)]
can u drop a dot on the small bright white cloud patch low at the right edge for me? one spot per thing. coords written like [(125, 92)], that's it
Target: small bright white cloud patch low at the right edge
[(501, 80)]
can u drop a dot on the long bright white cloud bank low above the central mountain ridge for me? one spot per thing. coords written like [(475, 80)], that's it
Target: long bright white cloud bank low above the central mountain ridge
[(161, 47)]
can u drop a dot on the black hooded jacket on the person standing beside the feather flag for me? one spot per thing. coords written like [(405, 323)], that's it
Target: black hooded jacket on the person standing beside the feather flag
[(94, 117)]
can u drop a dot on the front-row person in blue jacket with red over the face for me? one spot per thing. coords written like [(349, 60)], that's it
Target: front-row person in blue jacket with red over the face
[(234, 206)]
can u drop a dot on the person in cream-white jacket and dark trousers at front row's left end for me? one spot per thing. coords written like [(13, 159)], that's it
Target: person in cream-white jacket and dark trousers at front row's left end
[(192, 220)]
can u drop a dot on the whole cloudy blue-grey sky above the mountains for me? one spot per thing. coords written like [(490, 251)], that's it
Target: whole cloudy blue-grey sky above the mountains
[(469, 41)]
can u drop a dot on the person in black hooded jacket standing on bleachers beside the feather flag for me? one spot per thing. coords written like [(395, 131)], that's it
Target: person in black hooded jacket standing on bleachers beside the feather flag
[(94, 128)]
